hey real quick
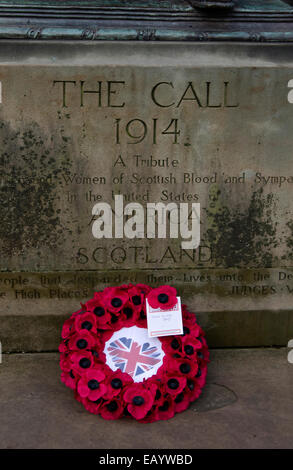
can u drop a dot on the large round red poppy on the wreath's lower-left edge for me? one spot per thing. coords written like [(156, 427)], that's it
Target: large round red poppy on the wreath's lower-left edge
[(91, 385)]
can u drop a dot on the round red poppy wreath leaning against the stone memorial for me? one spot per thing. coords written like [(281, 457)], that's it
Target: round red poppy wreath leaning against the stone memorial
[(116, 370)]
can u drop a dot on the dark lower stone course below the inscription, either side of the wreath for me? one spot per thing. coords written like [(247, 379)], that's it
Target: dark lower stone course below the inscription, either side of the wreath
[(33, 332)]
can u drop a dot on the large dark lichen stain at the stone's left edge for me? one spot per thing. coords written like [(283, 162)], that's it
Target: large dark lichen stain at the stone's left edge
[(30, 164)]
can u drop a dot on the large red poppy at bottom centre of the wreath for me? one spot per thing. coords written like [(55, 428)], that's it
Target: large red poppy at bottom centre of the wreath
[(139, 400)]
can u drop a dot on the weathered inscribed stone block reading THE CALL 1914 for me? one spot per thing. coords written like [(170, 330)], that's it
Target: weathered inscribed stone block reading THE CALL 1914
[(81, 123)]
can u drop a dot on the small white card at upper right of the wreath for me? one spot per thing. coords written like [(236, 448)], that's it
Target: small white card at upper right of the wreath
[(164, 322)]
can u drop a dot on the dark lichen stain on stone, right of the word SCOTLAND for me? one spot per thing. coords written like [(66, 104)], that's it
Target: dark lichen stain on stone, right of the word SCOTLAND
[(242, 237)]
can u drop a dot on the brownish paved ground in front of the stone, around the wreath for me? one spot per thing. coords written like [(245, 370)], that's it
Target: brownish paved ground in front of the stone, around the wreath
[(247, 403)]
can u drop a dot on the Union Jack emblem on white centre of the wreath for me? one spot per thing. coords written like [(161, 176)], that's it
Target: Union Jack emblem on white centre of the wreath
[(133, 358)]
